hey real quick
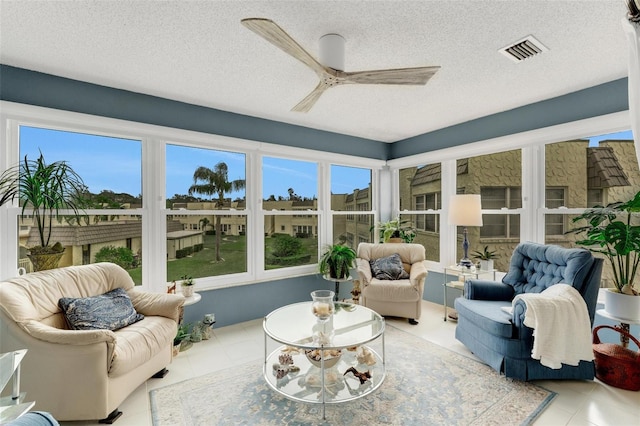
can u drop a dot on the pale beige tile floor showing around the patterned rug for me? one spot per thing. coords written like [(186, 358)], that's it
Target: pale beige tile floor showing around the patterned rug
[(577, 403)]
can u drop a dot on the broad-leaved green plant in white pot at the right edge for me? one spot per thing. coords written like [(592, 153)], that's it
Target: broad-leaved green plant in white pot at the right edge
[(612, 231)]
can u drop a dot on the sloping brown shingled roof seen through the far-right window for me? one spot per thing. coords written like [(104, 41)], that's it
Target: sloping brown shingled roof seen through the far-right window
[(604, 169)]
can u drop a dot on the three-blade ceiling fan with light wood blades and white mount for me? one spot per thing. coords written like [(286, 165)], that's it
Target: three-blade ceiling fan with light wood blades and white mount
[(332, 74)]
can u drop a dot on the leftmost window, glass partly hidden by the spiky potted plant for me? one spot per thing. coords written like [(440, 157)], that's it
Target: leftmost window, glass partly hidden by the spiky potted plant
[(111, 168)]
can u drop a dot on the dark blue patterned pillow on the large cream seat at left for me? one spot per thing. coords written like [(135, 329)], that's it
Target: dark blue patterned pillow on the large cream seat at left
[(109, 311)]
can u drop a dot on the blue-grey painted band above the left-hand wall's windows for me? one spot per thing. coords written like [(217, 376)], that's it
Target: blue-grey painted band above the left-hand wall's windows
[(46, 90)]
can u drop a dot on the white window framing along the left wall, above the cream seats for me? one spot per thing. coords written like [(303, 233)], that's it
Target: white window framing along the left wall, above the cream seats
[(154, 138)]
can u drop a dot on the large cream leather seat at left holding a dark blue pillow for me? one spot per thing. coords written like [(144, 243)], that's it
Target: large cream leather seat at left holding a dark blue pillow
[(84, 374)]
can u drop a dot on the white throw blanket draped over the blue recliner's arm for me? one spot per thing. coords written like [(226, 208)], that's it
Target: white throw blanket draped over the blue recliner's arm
[(561, 326)]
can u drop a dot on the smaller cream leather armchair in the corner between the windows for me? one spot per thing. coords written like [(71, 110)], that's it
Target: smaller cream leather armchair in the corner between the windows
[(392, 292)]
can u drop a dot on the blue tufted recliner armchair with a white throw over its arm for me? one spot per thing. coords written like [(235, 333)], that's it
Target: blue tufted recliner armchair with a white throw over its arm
[(501, 339)]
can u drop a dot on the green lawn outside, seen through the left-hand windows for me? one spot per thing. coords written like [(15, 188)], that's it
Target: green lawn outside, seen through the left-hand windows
[(203, 264)]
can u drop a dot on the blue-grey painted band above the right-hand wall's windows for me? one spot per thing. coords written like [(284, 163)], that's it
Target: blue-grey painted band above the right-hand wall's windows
[(595, 101)]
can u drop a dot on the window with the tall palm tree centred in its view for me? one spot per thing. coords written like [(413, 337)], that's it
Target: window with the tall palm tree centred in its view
[(205, 185)]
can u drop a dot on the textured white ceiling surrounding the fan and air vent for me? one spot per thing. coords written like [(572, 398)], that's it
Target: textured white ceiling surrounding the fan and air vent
[(198, 52)]
